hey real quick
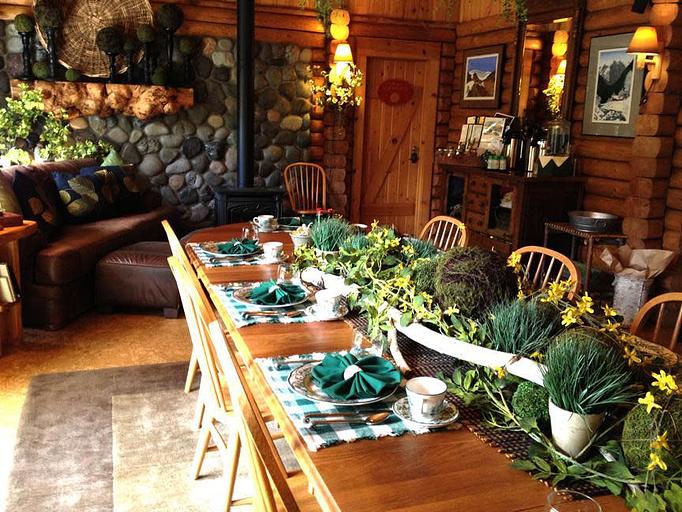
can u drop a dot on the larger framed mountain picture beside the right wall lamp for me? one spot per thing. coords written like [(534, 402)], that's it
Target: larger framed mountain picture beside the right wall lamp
[(614, 88)]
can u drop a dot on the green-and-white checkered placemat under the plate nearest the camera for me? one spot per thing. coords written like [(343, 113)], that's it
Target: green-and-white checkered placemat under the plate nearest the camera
[(322, 436)]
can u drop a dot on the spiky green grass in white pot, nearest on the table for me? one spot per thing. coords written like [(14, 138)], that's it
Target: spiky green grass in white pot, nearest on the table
[(585, 377)]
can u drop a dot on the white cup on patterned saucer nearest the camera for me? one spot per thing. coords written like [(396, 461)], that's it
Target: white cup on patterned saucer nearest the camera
[(425, 405)]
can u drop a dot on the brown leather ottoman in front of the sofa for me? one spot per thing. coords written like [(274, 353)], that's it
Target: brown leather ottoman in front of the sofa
[(137, 276)]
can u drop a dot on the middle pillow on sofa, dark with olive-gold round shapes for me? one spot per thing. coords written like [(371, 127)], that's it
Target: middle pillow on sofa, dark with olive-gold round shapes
[(79, 196)]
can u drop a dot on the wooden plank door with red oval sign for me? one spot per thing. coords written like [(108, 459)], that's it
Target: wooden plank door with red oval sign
[(387, 185)]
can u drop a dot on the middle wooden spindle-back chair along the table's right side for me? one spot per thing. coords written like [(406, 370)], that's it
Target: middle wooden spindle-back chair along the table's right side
[(542, 266)]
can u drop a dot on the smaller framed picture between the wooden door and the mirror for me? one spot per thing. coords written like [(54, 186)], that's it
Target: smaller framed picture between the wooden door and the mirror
[(482, 77)]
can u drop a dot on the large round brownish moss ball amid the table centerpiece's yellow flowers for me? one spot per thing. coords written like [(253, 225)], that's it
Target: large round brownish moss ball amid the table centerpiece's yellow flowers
[(472, 279)]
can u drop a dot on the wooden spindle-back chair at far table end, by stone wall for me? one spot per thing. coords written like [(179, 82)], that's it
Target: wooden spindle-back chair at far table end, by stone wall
[(306, 186)]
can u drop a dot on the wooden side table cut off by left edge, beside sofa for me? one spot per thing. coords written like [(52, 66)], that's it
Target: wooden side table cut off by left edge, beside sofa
[(11, 327)]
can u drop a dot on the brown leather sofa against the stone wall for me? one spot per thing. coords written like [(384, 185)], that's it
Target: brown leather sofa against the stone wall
[(57, 270)]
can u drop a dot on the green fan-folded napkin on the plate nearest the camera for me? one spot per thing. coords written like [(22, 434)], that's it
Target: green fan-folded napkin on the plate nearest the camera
[(375, 375)]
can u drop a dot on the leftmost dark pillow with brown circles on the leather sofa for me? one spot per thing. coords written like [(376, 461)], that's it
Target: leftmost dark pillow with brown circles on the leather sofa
[(38, 200)]
